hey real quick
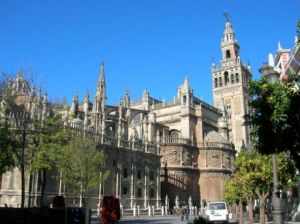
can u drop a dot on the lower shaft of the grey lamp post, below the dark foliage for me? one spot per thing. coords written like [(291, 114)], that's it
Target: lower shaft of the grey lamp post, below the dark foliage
[(276, 200)]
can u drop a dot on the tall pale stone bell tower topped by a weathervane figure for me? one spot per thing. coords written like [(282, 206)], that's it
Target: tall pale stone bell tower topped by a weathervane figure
[(230, 88)]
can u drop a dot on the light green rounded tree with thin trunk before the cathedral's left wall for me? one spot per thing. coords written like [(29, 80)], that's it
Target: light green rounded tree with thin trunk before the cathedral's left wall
[(82, 164)]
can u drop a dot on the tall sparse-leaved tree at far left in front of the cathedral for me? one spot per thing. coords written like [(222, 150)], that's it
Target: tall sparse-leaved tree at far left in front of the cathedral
[(15, 108)]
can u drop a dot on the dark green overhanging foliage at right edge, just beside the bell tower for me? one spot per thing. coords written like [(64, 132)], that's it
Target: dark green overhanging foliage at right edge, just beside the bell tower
[(275, 119)]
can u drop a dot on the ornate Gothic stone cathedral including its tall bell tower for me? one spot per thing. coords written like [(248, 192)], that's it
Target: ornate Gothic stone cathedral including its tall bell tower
[(182, 150)]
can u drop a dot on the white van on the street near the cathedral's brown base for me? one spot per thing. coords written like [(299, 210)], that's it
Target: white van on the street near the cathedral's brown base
[(217, 212)]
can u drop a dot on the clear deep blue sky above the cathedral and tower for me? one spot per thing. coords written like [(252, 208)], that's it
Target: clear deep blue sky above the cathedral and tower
[(149, 44)]
